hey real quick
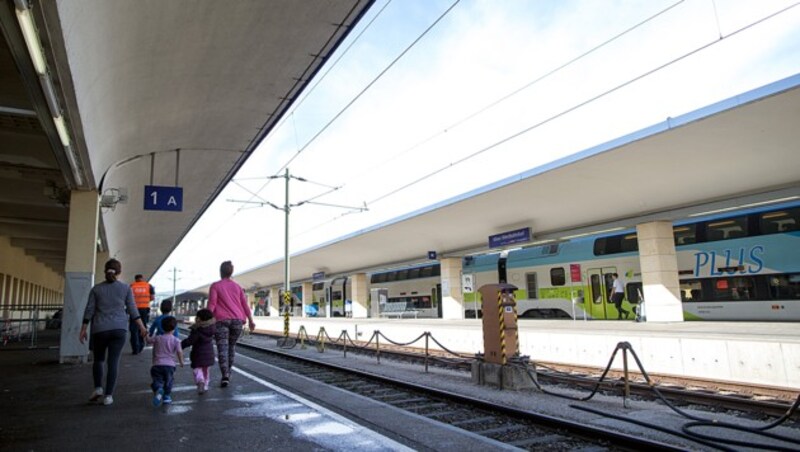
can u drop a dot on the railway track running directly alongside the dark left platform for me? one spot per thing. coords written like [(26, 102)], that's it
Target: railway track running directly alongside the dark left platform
[(518, 428)]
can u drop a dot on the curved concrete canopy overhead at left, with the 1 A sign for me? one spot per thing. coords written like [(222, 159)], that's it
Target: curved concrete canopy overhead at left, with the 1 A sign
[(138, 80)]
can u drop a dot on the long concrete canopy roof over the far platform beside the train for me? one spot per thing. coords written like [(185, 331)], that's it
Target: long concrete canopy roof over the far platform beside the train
[(739, 151)]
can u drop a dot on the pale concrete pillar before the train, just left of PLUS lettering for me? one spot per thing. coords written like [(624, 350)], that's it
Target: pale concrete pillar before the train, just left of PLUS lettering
[(659, 265)]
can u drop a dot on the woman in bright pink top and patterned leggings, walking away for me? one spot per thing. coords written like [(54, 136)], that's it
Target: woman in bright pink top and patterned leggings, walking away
[(227, 301)]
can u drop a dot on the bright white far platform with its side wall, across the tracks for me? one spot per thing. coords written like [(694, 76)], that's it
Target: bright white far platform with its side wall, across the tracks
[(764, 354)]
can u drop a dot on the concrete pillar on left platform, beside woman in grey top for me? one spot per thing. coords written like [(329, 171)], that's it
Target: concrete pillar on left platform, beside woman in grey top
[(78, 272)]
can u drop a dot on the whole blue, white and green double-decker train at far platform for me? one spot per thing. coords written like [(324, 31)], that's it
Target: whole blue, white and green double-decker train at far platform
[(742, 265)]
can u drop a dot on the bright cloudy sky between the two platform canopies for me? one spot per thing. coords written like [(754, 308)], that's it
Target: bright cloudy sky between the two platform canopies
[(429, 99)]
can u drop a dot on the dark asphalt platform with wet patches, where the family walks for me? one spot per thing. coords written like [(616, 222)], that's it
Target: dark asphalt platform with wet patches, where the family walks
[(45, 407)]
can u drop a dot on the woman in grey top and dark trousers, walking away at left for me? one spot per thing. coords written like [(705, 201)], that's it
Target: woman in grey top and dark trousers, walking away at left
[(109, 309)]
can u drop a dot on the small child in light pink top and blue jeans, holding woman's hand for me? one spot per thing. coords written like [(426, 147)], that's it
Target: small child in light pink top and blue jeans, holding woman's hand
[(166, 348)]
